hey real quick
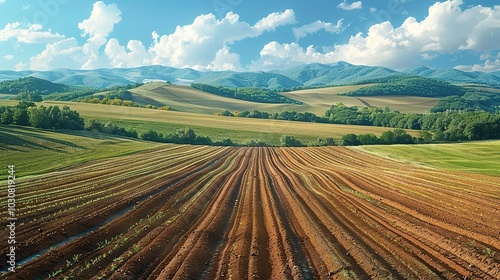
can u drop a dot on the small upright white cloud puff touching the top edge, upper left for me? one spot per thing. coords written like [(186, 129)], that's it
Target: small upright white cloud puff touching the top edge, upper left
[(101, 21)]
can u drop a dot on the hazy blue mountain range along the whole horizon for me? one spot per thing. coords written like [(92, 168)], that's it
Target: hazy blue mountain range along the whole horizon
[(309, 75)]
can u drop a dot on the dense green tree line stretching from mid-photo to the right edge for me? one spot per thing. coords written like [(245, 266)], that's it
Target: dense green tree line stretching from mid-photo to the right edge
[(441, 126)]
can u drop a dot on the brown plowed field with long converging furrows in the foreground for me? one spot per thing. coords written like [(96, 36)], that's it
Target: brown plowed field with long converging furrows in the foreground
[(192, 212)]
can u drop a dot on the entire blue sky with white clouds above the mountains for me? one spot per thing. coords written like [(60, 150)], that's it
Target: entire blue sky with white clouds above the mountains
[(249, 35)]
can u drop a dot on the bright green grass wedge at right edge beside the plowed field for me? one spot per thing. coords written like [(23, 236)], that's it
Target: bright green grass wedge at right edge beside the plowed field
[(480, 157)]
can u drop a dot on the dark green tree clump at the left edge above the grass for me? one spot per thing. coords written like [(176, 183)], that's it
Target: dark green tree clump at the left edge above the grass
[(52, 117)]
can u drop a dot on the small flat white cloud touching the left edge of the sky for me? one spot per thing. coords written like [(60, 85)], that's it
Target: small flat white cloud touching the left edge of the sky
[(27, 33)]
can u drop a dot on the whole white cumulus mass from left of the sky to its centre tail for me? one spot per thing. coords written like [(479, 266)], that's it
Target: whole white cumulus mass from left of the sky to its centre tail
[(203, 44)]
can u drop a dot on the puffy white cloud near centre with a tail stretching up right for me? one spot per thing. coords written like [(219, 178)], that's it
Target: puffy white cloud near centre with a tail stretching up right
[(196, 45)]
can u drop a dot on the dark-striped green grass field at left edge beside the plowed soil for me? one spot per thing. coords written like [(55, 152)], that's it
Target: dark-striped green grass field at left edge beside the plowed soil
[(35, 151)]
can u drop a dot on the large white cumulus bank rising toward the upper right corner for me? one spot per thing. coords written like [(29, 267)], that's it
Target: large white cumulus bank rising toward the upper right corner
[(413, 41)]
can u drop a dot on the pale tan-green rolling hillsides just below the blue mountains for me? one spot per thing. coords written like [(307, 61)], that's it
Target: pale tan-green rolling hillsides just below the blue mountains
[(317, 101)]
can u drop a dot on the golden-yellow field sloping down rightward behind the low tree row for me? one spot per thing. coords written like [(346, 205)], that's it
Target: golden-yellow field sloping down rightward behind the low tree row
[(236, 125)]
